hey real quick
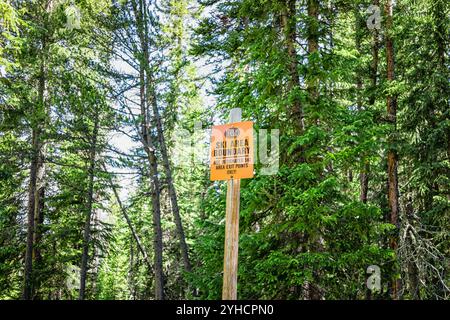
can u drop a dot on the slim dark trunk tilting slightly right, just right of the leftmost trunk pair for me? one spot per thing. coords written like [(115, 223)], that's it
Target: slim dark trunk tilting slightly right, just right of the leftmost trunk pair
[(89, 206)]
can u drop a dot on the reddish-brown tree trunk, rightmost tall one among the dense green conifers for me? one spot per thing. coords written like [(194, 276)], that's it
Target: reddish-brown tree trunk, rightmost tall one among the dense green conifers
[(391, 102)]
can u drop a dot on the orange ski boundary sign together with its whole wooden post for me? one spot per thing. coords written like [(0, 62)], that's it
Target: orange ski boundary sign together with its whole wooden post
[(232, 160)]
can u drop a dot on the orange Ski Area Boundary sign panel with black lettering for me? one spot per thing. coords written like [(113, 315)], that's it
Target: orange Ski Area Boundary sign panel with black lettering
[(232, 151)]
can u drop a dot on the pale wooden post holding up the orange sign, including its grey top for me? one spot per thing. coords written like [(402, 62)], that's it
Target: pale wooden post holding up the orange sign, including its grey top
[(230, 259)]
